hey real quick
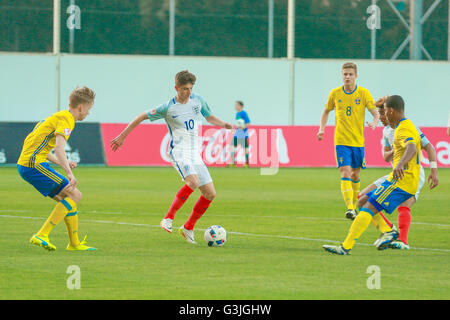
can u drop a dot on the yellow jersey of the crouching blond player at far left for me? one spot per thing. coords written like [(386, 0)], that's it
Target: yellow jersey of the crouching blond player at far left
[(42, 139)]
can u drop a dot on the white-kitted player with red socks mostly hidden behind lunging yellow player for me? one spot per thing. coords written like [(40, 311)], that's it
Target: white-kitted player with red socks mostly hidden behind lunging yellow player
[(404, 210)]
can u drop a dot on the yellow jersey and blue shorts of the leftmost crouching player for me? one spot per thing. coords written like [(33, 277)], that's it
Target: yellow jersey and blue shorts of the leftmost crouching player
[(32, 164)]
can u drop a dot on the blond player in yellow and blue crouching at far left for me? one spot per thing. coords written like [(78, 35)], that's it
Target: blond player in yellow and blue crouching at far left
[(32, 165)]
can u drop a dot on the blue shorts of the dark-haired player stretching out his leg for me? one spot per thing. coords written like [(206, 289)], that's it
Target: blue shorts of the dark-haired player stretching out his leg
[(388, 197)]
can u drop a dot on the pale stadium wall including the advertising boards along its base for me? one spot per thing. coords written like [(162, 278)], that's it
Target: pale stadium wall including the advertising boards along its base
[(128, 85)]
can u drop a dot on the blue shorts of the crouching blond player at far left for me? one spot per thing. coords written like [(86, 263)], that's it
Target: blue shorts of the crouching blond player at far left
[(44, 178)]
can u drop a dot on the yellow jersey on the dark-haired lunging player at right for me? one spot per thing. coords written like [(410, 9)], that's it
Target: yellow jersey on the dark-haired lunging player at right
[(406, 133)]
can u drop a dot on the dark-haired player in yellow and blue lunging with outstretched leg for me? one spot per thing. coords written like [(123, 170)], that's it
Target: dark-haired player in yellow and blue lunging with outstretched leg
[(402, 183)]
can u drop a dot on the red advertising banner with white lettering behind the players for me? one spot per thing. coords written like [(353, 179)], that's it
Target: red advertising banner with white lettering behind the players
[(269, 146)]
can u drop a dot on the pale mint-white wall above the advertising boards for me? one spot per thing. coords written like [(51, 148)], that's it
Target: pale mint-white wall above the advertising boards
[(127, 85)]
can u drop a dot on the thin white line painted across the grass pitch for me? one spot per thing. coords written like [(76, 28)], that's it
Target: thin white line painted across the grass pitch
[(230, 232)]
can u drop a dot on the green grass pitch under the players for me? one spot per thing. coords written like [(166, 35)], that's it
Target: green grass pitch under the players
[(276, 226)]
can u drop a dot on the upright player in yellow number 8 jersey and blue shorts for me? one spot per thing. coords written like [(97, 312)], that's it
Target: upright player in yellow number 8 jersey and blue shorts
[(350, 102)]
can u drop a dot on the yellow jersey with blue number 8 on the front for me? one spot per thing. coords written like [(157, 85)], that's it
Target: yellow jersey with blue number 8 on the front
[(350, 110)]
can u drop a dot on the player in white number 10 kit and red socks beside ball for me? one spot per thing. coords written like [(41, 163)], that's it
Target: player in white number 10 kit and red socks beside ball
[(183, 117)]
